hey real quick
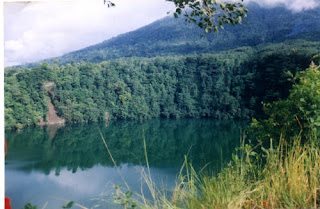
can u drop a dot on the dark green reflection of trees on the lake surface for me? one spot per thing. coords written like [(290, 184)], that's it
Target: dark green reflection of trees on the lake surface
[(168, 140)]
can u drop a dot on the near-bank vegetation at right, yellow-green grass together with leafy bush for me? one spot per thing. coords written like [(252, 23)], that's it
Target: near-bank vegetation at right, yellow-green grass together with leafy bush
[(279, 173)]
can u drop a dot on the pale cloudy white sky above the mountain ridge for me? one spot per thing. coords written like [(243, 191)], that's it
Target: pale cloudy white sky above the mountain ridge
[(38, 30)]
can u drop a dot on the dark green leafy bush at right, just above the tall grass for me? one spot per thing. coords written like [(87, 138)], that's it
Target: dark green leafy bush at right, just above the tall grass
[(299, 113)]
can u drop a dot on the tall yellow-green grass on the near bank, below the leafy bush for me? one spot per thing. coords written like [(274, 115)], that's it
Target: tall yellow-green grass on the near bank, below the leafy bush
[(284, 176)]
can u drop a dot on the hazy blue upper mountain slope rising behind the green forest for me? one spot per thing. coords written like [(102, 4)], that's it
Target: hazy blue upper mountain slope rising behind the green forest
[(170, 36)]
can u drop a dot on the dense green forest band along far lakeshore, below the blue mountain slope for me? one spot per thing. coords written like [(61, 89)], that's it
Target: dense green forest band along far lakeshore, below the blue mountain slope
[(229, 84)]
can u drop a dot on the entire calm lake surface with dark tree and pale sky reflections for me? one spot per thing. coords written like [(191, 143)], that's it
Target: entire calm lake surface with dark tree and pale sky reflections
[(55, 164)]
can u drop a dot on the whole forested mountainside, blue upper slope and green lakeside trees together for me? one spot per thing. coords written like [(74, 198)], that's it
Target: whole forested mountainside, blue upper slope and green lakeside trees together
[(166, 70)]
